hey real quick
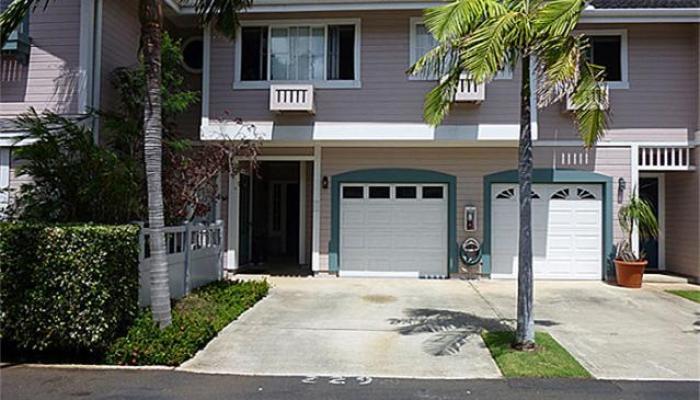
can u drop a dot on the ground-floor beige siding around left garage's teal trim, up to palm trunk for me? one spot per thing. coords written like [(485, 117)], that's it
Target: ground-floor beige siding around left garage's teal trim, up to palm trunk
[(468, 165)]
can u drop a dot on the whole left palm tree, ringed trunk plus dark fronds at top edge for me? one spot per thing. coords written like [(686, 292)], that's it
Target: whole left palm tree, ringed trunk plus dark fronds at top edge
[(224, 15)]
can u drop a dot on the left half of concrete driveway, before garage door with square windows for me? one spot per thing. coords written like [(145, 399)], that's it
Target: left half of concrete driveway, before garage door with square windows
[(357, 327)]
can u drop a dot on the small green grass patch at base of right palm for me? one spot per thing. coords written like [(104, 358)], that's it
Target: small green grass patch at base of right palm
[(550, 360)]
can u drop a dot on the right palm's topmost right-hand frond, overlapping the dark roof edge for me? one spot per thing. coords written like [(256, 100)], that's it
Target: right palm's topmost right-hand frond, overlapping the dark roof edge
[(558, 17)]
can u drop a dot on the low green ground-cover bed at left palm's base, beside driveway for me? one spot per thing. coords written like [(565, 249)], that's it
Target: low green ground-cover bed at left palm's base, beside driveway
[(197, 318)]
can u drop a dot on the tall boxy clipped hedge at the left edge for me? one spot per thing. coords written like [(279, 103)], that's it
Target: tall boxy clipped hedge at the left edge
[(67, 288)]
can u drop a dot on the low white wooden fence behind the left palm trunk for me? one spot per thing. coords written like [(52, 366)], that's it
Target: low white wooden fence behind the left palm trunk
[(194, 254)]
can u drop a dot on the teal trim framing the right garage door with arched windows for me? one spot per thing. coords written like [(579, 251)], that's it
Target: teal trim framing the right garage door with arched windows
[(553, 176)]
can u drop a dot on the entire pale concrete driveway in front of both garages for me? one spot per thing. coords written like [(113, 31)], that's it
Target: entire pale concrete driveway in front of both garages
[(428, 329)]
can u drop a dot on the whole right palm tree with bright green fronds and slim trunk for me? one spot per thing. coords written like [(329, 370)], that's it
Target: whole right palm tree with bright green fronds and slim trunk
[(486, 36)]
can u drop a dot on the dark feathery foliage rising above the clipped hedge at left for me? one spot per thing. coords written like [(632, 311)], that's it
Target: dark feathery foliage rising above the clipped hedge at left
[(72, 179)]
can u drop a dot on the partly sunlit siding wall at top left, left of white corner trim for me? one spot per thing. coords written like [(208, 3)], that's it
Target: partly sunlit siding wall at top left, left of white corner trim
[(50, 81)]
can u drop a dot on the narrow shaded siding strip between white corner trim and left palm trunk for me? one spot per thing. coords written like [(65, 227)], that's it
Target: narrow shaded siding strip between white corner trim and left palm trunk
[(121, 31)]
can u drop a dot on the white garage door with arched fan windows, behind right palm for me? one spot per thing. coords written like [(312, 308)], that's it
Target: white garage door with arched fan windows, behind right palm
[(566, 229)]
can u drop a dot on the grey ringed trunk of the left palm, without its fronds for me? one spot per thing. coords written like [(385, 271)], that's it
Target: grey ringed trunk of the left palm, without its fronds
[(151, 19)]
